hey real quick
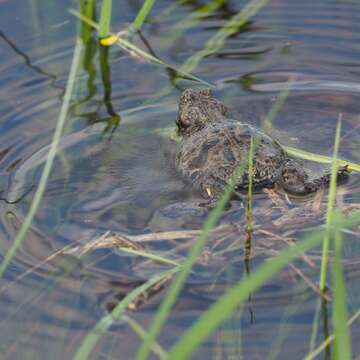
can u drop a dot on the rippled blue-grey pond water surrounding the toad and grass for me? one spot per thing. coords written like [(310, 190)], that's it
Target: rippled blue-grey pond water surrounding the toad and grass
[(115, 171)]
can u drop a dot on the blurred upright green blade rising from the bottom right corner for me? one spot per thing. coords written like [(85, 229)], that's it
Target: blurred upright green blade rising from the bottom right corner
[(342, 347)]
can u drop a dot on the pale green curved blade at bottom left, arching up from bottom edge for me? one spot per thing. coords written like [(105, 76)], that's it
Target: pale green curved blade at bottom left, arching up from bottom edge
[(103, 325)]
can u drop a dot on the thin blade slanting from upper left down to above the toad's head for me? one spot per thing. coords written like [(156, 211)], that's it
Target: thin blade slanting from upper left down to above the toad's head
[(134, 50)]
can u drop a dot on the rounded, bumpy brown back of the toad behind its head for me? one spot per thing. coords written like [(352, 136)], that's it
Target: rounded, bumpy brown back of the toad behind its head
[(218, 149)]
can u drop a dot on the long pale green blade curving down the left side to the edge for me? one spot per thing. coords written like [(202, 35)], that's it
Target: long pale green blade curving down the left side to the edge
[(49, 161)]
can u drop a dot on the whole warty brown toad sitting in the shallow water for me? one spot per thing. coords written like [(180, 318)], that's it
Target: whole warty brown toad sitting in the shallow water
[(213, 146)]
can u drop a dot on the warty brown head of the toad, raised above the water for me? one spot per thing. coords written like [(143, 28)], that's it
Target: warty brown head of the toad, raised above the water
[(198, 108)]
